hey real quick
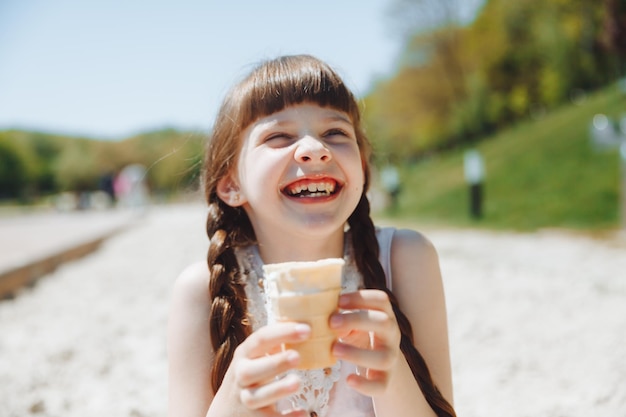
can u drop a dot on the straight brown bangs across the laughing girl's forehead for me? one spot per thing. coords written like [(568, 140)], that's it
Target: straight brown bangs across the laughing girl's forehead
[(293, 80)]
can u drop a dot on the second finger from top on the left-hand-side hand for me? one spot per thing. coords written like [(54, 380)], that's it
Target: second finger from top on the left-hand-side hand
[(257, 371)]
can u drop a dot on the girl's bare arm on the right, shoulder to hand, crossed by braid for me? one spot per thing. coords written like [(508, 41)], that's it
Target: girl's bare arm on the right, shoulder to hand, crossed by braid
[(419, 291)]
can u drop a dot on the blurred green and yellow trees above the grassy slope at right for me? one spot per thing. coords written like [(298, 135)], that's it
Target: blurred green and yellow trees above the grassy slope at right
[(458, 81)]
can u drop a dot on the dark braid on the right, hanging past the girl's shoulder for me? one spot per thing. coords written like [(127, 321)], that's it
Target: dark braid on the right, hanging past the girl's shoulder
[(366, 252)]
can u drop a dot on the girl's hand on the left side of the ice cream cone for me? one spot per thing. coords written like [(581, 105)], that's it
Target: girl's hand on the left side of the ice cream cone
[(258, 363)]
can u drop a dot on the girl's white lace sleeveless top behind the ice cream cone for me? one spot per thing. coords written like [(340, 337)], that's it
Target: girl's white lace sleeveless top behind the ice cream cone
[(324, 392)]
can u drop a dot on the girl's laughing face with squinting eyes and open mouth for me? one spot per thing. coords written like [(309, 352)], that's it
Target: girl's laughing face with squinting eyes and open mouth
[(299, 172)]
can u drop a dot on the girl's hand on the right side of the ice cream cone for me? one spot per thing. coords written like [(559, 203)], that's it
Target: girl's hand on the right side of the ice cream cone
[(369, 337)]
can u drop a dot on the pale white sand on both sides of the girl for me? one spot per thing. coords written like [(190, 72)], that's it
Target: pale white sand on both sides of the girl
[(537, 324)]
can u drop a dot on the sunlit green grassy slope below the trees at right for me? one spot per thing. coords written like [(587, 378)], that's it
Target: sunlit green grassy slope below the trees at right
[(543, 173)]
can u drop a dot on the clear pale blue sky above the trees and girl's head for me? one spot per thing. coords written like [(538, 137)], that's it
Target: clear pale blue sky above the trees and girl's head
[(109, 69)]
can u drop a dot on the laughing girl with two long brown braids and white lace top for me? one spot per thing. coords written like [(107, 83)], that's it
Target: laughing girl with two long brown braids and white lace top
[(286, 176)]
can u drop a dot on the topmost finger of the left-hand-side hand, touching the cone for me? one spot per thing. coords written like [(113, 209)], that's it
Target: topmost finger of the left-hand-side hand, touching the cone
[(269, 339)]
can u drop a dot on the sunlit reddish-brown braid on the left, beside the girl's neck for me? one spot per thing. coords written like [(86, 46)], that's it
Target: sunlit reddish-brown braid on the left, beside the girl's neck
[(229, 323)]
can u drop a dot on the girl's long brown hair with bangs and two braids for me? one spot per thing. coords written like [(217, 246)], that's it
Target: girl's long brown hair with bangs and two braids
[(271, 87)]
